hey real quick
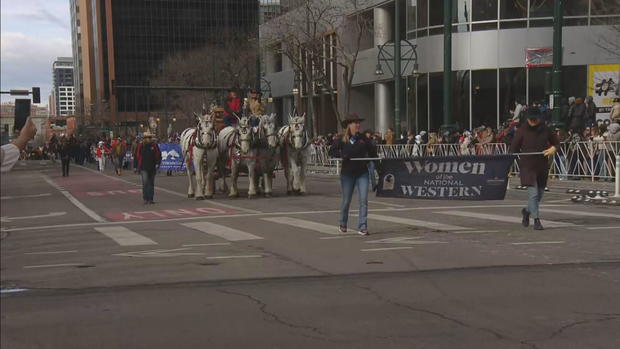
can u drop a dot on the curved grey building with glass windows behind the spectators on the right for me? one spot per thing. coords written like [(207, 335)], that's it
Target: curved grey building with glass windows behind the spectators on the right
[(501, 53)]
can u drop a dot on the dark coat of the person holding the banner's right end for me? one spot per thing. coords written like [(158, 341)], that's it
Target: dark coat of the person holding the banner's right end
[(533, 169)]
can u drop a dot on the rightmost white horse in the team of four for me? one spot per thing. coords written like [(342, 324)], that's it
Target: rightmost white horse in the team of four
[(294, 142)]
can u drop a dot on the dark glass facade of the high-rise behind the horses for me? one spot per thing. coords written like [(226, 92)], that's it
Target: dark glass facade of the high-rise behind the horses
[(157, 39)]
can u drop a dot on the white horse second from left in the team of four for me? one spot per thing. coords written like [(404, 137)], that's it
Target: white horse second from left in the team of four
[(237, 145)]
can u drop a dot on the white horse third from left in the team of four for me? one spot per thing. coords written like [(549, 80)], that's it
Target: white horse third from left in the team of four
[(268, 156)]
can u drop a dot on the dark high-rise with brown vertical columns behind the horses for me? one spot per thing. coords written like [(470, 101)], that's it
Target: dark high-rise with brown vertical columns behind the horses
[(136, 57)]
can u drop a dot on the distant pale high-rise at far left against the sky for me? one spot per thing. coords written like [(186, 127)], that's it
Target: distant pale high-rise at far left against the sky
[(63, 93)]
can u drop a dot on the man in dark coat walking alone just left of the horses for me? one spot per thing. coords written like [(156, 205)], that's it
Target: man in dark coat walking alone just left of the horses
[(149, 159)]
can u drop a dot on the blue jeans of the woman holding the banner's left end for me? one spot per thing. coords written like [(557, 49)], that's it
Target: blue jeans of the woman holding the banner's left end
[(348, 184)]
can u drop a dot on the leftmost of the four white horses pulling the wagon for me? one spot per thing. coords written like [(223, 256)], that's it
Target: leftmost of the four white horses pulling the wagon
[(199, 146)]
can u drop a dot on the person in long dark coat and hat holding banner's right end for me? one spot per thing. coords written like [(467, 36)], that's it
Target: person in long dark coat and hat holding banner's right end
[(533, 137)]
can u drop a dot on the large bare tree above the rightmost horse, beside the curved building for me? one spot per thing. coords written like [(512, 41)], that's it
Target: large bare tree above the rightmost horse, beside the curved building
[(316, 34)]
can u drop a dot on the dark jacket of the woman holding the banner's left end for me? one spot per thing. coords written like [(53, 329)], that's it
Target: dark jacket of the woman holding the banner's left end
[(358, 147)]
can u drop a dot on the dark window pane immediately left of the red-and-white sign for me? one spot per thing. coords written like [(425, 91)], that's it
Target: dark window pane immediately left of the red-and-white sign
[(511, 90)]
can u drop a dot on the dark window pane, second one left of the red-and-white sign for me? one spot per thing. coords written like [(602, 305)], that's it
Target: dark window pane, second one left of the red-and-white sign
[(484, 98)]
